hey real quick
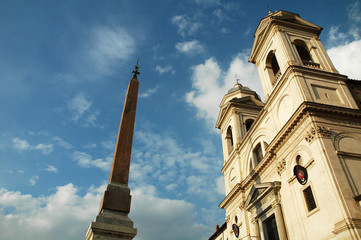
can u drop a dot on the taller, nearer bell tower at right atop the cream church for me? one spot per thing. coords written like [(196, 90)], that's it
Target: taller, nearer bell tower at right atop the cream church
[(294, 66)]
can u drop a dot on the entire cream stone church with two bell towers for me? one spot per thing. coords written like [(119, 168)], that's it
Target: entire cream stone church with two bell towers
[(292, 164)]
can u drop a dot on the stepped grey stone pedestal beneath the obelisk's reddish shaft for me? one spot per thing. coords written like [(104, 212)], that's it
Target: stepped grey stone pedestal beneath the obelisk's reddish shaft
[(112, 221)]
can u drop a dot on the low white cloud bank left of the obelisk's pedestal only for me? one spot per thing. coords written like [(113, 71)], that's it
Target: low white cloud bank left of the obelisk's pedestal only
[(62, 215)]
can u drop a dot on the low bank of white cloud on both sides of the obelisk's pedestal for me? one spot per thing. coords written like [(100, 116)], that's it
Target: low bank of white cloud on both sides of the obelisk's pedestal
[(66, 214)]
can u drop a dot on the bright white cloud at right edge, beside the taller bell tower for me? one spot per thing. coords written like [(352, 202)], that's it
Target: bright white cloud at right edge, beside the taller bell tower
[(347, 58)]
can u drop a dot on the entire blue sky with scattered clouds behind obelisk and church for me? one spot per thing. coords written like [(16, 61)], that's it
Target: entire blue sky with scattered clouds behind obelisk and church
[(65, 67)]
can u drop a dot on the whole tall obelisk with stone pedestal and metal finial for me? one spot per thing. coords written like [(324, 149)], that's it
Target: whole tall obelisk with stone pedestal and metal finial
[(112, 221)]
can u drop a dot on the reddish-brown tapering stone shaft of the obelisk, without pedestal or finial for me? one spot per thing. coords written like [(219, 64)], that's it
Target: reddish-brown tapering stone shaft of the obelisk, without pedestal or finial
[(123, 149)]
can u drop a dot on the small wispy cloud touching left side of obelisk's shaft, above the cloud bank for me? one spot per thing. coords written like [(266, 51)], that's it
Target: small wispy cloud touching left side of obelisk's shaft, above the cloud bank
[(85, 160)]
